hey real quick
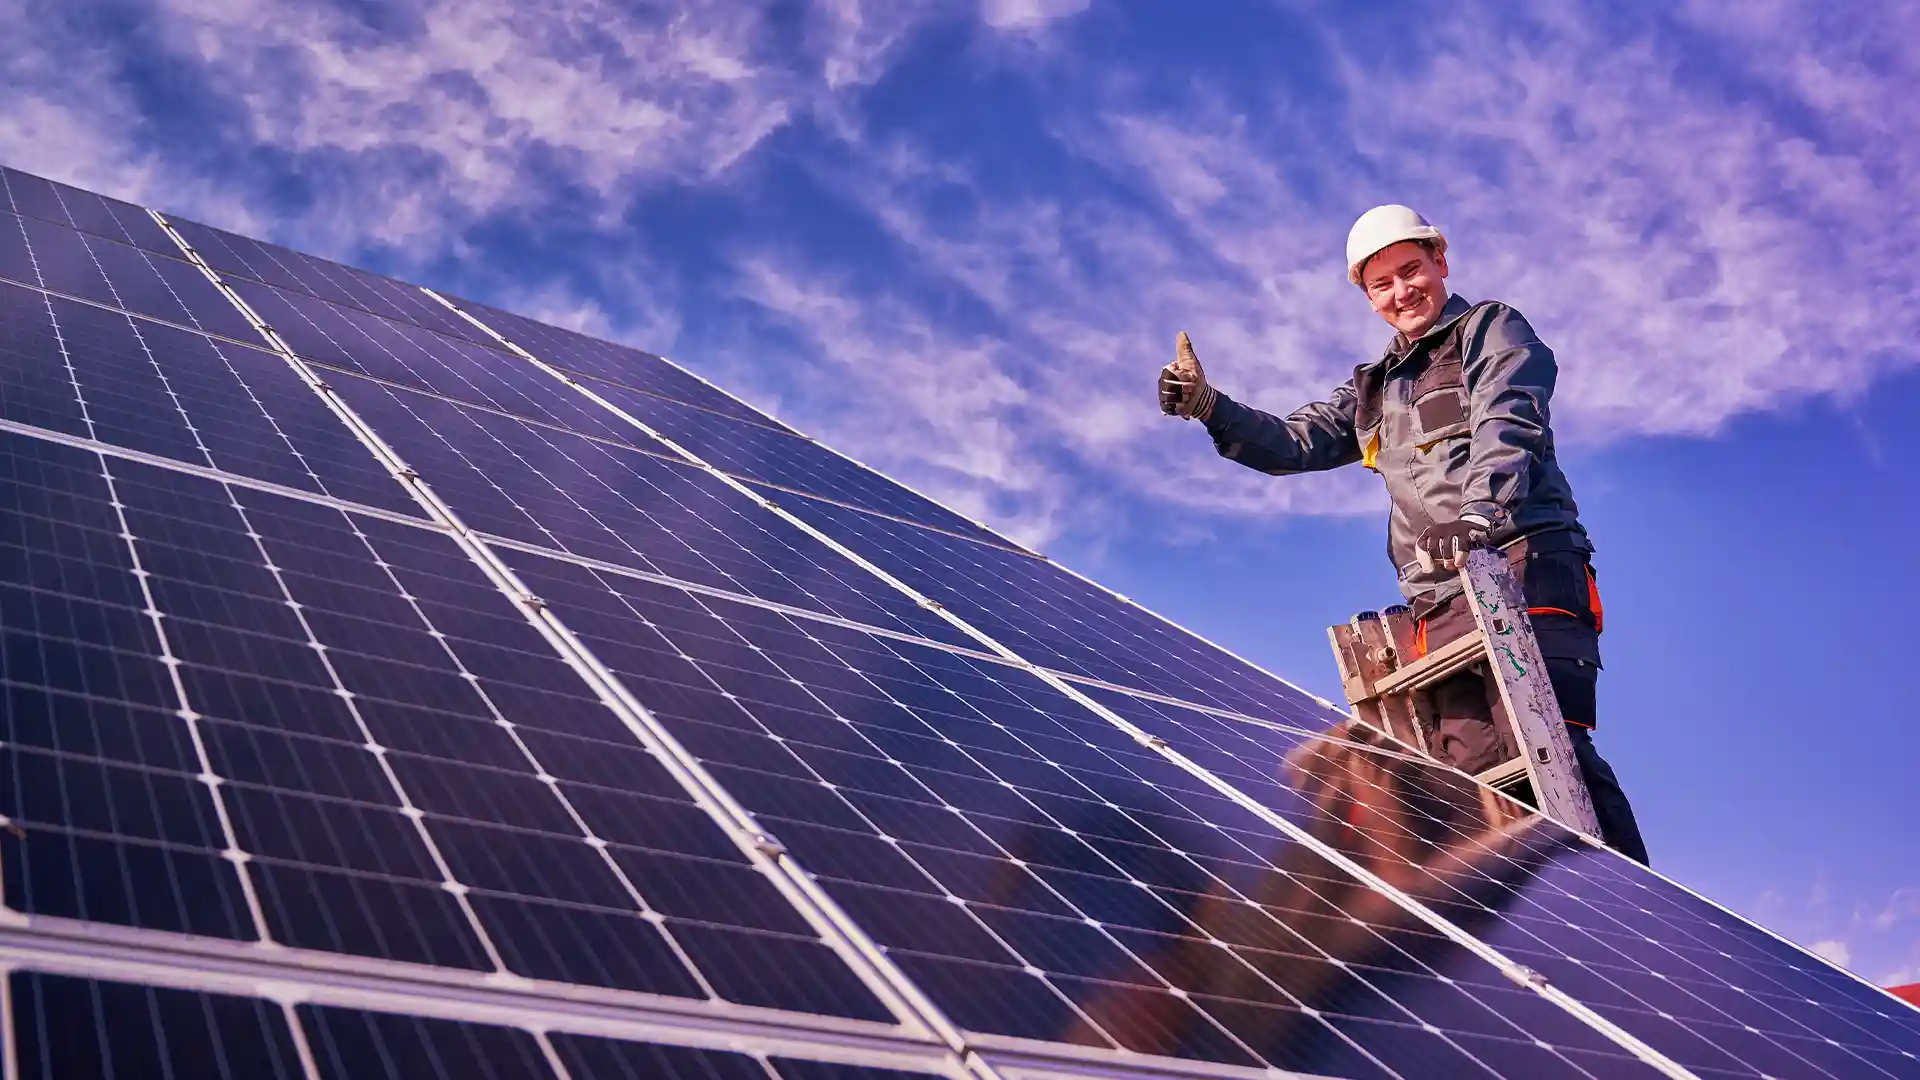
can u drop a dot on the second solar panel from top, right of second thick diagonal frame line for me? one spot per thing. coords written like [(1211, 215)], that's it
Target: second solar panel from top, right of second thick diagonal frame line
[(786, 460)]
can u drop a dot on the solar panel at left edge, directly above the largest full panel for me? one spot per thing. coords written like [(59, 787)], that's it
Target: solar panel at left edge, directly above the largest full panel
[(156, 389)]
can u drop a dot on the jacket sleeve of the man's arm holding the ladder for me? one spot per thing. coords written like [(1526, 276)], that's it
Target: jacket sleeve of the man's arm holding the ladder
[(1510, 381)]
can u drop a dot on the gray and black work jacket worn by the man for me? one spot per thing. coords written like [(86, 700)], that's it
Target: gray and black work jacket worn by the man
[(1454, 422)]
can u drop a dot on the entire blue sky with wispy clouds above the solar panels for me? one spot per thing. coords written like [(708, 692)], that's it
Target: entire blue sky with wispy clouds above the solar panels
[(957, 237)]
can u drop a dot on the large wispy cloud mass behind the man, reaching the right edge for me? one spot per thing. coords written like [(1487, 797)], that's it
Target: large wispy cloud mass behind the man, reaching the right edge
[(1694, 249)]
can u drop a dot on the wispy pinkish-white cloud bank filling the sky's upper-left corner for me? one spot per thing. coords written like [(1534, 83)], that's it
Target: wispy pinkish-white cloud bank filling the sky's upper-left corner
[(410, 122)]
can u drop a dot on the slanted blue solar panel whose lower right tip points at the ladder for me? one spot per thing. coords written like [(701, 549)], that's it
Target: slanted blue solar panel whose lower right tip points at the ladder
[(1063, 622)]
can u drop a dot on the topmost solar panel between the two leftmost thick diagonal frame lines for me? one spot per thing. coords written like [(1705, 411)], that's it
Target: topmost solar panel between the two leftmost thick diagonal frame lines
[(239, 257)]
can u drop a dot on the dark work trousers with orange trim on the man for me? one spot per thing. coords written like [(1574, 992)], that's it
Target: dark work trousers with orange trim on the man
[(1472, 741)]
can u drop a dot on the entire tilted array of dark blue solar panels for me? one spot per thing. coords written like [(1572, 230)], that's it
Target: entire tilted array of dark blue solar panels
[(396, 687)]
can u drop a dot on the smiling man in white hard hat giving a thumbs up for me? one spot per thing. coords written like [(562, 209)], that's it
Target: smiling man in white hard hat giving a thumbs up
[(1454, 420)]
